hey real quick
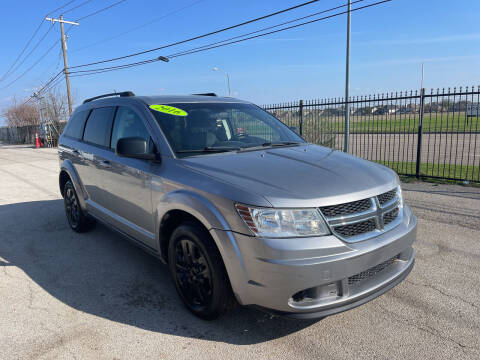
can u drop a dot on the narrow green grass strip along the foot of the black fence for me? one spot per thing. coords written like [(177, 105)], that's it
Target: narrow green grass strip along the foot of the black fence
[(452, 171)]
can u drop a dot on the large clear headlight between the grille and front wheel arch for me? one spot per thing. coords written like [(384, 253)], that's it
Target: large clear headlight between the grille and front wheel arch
[(268, 222)]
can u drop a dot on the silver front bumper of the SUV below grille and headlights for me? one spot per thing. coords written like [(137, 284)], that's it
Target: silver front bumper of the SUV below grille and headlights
[(316, 277)]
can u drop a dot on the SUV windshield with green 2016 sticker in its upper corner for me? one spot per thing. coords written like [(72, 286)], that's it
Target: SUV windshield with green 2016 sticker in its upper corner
[(193, 128)]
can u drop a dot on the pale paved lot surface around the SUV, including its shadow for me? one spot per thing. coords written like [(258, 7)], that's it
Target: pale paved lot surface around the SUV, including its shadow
[(96, 296)]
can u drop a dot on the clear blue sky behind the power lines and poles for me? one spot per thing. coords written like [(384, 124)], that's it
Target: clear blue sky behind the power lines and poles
[(389, 42)]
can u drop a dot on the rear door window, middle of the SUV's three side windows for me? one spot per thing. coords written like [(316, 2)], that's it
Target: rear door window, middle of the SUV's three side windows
[(99, 124)]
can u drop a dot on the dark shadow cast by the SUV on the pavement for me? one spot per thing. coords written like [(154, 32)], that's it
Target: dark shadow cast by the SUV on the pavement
[(102, 274)]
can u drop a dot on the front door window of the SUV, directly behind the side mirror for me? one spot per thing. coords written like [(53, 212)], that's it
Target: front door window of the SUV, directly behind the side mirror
[(128, 124)]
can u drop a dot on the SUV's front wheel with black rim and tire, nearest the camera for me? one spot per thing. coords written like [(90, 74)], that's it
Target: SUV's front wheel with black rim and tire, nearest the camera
[(198, 272)]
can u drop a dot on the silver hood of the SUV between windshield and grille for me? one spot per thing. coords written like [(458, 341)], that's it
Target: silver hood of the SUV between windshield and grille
[(299, 176)]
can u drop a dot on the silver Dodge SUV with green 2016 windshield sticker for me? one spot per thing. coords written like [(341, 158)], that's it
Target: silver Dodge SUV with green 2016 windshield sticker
[(238, 205)]
